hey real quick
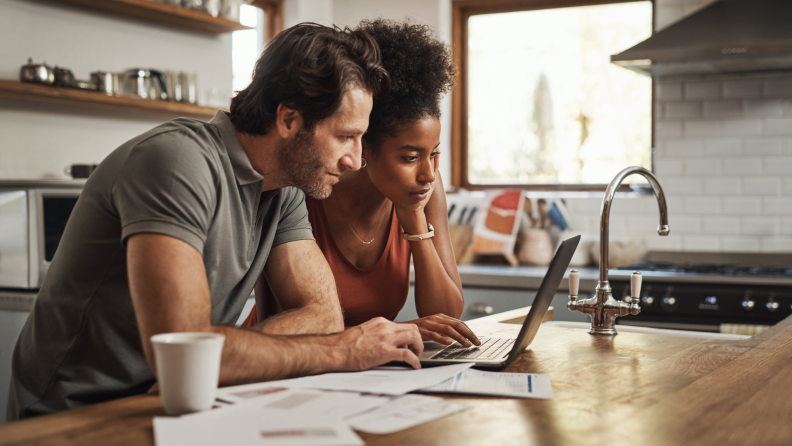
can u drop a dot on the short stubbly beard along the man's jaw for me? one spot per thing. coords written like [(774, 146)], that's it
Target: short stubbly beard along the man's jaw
[(302, 165)]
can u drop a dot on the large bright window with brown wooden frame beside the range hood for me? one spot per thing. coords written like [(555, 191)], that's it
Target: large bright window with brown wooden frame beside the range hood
[(539, 103)]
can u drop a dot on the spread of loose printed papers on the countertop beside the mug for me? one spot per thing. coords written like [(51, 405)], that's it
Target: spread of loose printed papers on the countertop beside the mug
[(323, 410)]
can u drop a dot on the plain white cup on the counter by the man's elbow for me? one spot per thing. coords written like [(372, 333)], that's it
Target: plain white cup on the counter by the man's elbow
[(188, 369)]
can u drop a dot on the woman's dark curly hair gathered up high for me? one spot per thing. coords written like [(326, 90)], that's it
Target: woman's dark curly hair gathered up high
[(421, 71)]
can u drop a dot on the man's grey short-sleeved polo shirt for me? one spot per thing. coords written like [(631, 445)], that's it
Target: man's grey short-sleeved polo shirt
[(188, 179)]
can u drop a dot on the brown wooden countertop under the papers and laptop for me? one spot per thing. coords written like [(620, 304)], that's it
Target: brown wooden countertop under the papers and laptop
[(631, 389)]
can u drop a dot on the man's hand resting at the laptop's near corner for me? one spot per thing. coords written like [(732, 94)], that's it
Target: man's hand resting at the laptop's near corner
[(380, 341)]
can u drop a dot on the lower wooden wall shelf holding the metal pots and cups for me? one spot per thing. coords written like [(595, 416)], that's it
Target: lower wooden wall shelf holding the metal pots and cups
[(95, 100)]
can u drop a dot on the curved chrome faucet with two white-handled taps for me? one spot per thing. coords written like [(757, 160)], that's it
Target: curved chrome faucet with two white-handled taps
[(603, 308)]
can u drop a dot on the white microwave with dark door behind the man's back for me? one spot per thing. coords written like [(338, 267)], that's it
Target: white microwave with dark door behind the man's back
[(33, 215)]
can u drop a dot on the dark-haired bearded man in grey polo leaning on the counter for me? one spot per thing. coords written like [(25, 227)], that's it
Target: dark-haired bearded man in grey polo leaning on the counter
[(174, 228)]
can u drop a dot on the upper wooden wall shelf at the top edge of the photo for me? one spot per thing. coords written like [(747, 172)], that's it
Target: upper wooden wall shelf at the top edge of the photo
[(161, 13)]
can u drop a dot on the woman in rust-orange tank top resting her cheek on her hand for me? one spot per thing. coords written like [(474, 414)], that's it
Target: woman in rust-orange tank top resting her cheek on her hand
[(397, 191)]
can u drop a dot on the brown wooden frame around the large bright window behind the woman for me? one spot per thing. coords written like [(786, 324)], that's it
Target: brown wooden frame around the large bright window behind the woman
[(461, 10)]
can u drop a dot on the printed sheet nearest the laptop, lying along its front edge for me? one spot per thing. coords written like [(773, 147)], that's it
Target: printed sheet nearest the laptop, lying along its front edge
[(477, 382)]
